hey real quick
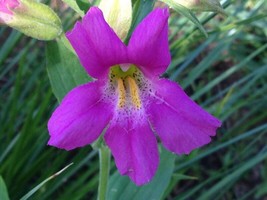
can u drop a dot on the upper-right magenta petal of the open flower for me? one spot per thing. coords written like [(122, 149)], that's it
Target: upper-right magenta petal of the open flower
[(148, 47)]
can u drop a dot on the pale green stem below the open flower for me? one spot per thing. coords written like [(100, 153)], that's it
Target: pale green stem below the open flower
[(104, 161)]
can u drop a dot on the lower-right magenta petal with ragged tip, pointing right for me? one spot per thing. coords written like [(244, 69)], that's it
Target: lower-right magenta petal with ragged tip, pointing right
[(181, 124)]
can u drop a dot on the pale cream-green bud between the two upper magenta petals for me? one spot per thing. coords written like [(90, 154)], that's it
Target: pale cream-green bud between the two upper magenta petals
[(118, 14)]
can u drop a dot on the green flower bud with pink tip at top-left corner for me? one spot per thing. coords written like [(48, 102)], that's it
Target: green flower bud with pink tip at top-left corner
[(31, 18)]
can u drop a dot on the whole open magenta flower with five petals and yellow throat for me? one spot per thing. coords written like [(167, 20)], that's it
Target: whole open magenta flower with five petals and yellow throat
[(128, 101)]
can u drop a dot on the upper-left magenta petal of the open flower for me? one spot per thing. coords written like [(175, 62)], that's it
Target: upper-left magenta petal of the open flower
[(96, 44)]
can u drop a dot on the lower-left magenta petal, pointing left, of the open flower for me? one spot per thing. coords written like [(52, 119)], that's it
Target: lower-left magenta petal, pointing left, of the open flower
[(80, 118)]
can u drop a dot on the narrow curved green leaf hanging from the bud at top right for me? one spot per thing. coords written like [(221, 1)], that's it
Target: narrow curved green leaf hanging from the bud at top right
[(187, 13)]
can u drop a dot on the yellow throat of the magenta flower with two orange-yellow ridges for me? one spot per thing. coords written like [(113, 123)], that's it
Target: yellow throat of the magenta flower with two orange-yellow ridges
[(126, 80)]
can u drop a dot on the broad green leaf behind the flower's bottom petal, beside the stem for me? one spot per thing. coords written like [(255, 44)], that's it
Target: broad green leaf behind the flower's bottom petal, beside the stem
[(120, 187)]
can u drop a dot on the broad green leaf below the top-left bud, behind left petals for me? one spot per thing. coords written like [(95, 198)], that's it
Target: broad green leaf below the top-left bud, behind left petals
[(64, 69)]
